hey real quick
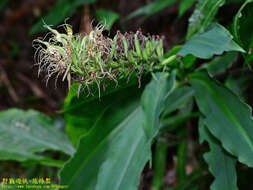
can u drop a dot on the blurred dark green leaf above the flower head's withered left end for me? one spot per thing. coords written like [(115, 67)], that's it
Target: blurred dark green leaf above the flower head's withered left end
[(61, 10)]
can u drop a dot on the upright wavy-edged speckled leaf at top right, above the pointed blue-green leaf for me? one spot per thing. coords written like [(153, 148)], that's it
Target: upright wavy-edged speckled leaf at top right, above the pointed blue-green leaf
[(203, 15)]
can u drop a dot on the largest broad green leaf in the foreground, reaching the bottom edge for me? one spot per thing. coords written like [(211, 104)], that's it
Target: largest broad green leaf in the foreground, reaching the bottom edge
[(117, 142)]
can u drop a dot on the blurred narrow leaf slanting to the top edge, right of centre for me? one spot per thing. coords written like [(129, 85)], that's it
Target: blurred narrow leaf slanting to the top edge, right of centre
[(150, 9)]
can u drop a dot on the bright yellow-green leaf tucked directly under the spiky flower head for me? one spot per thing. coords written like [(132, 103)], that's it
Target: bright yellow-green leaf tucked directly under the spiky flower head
[(80, 118)]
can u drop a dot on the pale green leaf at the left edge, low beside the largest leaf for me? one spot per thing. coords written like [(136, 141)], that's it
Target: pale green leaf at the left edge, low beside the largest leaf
[(24, 133)]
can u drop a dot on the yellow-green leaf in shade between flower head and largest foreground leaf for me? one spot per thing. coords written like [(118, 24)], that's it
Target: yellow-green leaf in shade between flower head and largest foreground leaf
[(80, 118)]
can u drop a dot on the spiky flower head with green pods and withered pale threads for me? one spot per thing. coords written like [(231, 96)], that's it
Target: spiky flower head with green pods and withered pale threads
[(95, 58)]
